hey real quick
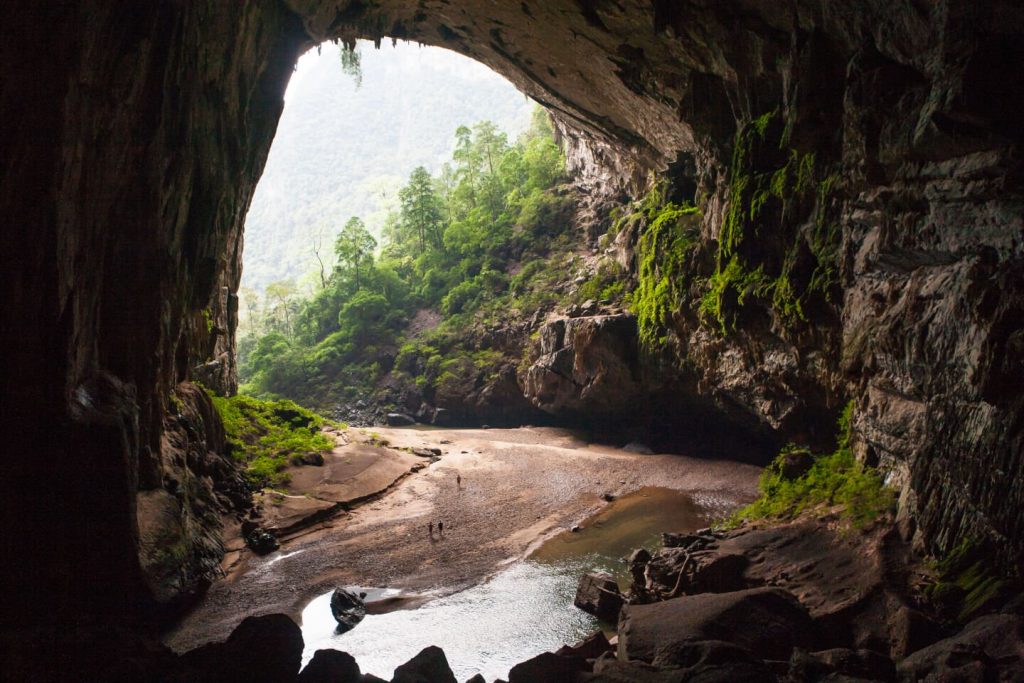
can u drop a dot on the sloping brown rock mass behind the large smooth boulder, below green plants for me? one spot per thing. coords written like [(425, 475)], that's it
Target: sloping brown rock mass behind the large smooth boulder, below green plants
[(845, 581)]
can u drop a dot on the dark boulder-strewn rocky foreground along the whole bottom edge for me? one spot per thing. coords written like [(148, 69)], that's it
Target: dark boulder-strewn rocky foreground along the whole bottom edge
[(806, 601)]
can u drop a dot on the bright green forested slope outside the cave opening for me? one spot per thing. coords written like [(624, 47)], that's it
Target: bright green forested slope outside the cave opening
[(486, 239)]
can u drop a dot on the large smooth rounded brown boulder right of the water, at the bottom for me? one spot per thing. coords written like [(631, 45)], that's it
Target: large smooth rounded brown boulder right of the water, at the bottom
[(769, 622)]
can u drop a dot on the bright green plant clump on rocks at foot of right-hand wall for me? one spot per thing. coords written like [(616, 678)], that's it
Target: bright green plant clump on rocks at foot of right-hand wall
[(834, 480)]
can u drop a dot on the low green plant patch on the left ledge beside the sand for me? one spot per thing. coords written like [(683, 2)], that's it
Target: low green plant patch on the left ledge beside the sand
[(265, 435)]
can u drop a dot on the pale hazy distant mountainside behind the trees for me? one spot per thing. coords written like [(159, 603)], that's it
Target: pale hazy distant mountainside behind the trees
[(343, 151)]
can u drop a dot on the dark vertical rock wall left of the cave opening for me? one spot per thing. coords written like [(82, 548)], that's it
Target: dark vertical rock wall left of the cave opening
[(134, 138)]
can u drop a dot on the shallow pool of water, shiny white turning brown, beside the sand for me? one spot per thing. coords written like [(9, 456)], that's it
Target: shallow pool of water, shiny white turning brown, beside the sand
[(520, 613)]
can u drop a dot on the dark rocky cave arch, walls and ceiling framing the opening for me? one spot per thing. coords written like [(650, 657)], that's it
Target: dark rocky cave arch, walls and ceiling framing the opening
[(134, 147)]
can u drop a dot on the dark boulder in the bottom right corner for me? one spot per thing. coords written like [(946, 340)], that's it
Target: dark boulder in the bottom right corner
[(990, 649)]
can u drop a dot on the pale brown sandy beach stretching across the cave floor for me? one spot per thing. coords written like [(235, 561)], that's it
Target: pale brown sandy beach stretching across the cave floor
[(520, 487)]
